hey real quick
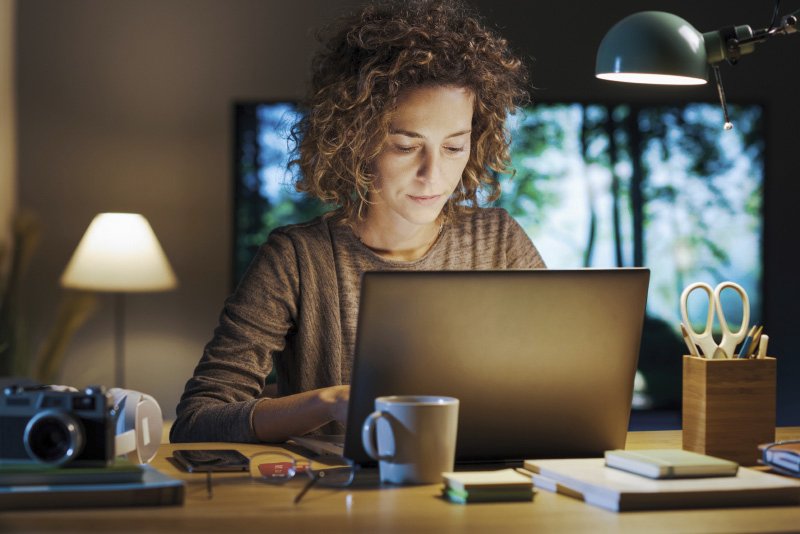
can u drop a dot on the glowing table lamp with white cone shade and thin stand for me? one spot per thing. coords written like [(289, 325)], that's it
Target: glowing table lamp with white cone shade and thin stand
[(119, 253)]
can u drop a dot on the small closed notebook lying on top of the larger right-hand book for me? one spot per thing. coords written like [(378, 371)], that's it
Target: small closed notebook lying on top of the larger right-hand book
[(670, 463)]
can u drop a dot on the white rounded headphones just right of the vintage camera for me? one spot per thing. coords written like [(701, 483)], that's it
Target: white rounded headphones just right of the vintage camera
[(138, 425)]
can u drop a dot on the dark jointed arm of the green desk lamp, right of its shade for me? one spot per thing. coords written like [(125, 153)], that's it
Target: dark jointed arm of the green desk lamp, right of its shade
[(729, 44)]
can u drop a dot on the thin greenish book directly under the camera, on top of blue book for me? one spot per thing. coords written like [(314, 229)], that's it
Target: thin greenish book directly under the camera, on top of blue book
[(122, 470)]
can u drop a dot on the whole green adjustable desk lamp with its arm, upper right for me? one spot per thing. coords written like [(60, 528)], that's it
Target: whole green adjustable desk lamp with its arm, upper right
[(653, 47)]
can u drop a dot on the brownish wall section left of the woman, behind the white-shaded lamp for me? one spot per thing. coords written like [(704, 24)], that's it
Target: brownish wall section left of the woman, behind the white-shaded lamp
[(126, 105)]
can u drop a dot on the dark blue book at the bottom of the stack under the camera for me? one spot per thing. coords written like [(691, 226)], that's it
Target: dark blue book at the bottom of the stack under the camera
[(154, 489)]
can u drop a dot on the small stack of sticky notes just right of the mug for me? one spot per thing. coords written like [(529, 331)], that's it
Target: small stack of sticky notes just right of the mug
[(487, 486)]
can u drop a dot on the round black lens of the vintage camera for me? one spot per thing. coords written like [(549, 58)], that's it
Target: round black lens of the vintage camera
[(53, 437)]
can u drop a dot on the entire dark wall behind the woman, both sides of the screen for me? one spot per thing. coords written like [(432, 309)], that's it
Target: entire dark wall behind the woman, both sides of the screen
[(125, 105)]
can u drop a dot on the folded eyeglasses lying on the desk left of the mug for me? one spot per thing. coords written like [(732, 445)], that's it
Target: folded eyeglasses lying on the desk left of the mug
[(278, 468)]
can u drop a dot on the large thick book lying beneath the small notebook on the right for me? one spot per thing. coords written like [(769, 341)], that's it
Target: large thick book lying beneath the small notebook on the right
[(612, 489)]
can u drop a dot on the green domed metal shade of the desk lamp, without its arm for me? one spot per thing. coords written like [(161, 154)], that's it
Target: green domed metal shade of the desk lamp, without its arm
[(653, 47)]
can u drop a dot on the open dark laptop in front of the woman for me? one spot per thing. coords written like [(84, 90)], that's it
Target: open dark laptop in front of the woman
[(542, 361)]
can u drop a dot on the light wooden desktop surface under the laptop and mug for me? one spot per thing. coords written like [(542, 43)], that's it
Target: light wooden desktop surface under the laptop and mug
[(239, 505)]
